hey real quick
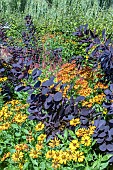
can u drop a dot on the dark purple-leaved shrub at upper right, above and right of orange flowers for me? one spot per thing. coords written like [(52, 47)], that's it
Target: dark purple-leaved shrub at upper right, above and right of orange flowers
[(103, 49)]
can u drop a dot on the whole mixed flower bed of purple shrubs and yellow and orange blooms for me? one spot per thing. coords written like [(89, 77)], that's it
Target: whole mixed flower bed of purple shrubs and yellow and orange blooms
[(56, 114)]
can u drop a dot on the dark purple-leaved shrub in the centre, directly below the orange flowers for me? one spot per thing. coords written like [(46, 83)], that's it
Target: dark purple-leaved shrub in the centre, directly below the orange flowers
[(49, 106)]
